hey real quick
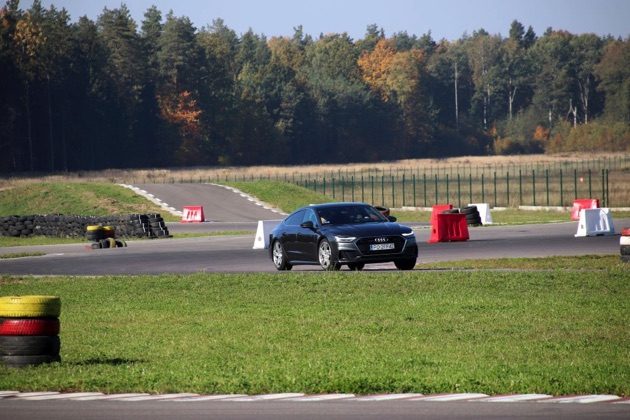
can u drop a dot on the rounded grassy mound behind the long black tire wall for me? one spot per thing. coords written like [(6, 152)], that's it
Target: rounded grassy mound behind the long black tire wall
[(88, 199)]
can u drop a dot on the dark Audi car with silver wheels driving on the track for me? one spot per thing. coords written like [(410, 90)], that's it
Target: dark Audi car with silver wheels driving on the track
[(336, 234)]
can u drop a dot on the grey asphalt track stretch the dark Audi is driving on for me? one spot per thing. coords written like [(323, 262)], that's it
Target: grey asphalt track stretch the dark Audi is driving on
[(235, 253)]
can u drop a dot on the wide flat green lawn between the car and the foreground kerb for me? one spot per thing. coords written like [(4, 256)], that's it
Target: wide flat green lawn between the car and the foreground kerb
[(557, 332)]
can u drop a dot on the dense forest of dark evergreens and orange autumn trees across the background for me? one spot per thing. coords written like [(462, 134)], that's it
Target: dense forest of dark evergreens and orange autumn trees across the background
[(114, 93)]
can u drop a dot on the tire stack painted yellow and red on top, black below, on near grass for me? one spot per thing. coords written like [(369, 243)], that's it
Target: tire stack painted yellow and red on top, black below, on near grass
[(29, 330)]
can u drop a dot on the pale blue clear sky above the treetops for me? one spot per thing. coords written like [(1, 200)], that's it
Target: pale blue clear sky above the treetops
[(448, 19)]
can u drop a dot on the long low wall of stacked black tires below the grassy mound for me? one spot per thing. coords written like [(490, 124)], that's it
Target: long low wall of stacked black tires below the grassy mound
[(91, 228)]
